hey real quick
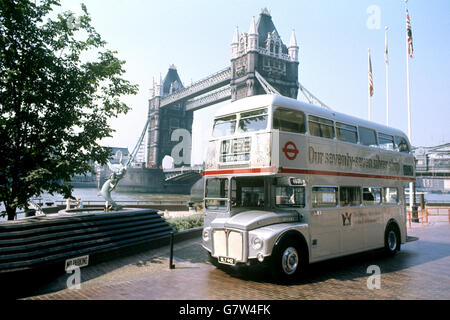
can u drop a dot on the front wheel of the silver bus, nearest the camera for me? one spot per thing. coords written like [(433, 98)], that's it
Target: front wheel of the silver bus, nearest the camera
[(288, 260)]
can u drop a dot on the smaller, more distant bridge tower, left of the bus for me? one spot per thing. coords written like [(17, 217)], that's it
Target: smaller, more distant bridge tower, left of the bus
[(163, 121)]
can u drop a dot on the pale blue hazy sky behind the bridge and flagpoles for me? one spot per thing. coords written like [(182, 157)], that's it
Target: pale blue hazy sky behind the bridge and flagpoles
[(333, 36)]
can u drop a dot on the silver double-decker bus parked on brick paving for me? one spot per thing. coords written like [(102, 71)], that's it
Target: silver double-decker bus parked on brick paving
[(291, 184)]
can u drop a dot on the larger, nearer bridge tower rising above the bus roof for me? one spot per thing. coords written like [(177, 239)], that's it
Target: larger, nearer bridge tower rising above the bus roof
[(262, 50)]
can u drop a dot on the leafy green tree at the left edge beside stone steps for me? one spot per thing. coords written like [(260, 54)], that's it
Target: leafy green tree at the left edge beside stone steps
[(54, 102)]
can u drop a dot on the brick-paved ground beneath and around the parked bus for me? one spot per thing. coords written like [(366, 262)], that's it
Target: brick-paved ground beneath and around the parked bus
[(421, 270)]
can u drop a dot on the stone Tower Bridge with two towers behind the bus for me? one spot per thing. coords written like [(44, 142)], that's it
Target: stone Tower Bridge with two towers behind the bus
[(258, 53)]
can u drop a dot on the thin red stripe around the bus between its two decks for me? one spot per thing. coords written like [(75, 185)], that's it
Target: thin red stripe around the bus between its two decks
[(303, 171)]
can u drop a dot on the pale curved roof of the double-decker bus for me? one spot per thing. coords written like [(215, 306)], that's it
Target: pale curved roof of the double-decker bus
[(259, 101)]
